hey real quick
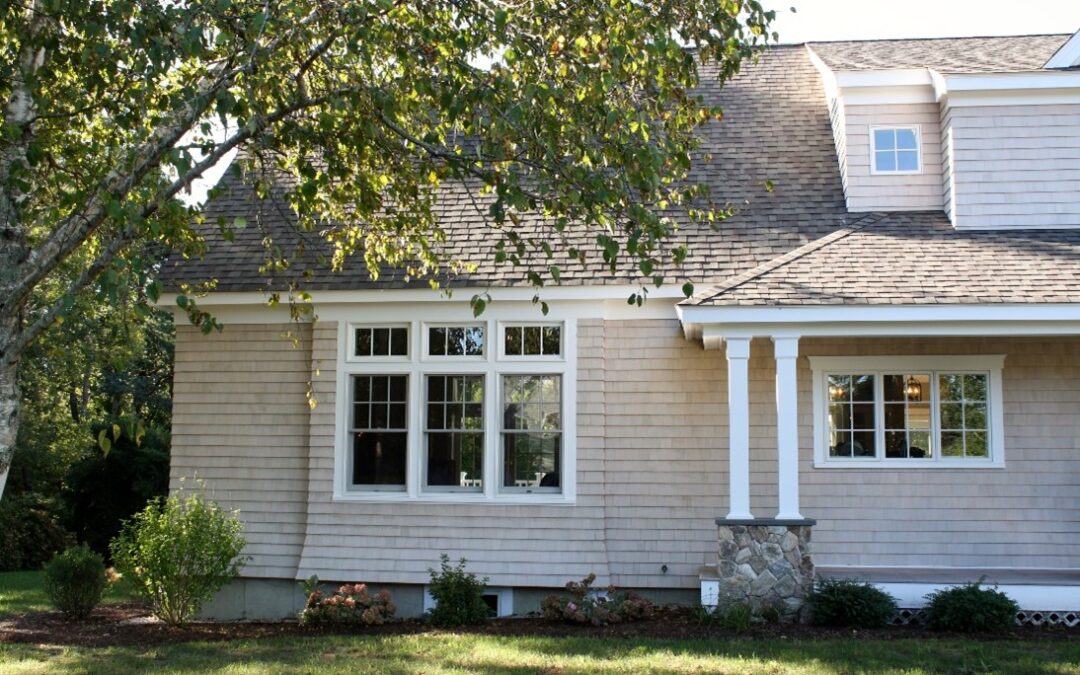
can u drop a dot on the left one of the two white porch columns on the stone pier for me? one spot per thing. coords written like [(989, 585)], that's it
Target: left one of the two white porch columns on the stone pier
[(738, 354)]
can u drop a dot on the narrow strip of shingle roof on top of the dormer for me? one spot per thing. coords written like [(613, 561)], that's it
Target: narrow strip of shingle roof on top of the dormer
[(1003, 55)]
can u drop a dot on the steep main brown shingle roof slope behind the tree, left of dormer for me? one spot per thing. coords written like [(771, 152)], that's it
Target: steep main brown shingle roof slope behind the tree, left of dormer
[(776, 128)]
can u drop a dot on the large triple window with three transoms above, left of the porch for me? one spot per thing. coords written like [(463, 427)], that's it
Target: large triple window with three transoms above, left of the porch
[(447, 411)]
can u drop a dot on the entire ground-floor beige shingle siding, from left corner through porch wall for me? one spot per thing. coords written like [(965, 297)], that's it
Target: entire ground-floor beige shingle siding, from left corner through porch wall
[(652, 467)]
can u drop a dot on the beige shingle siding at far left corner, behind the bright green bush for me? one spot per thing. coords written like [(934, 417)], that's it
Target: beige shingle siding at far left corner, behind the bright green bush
[(240, 424)]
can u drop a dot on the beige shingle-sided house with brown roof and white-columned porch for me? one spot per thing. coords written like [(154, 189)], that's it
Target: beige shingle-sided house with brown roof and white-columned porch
[(879, 377)]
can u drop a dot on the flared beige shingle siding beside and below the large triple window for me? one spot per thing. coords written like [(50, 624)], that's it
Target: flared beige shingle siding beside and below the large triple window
[(399, 543)]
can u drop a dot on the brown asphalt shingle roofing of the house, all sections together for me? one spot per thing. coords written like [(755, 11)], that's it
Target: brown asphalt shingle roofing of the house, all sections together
[(796, 246)]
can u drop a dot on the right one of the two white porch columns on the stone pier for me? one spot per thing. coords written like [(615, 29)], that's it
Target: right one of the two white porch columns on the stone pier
[(787, 350)]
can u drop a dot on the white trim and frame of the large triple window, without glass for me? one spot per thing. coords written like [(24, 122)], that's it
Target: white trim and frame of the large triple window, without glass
[(493, 369)]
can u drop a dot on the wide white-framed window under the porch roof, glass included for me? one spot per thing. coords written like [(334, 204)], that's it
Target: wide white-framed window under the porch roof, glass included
[(908, 412)]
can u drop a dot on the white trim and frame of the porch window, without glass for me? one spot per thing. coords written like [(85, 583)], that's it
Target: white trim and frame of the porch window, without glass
[(822, 367)]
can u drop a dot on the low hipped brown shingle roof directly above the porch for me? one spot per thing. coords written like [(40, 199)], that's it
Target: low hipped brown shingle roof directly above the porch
[(914, 259)]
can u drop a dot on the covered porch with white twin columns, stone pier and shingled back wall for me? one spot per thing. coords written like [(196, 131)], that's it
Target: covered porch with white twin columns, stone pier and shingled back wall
[(913, 512)]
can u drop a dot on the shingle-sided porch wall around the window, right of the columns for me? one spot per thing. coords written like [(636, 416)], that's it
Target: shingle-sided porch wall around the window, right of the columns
[(1027, 516)]
